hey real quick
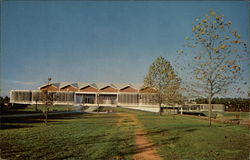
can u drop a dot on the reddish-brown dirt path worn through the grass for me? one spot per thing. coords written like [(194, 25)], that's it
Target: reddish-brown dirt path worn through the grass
[(144, 149)]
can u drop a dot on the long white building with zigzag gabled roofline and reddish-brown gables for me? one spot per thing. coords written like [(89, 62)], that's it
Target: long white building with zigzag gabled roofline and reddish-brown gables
[(89, 94)]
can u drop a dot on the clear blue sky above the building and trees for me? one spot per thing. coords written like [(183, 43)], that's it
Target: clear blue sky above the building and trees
[(97, 41)]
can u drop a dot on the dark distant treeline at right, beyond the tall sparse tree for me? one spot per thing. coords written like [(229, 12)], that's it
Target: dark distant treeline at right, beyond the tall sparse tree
[(233, 104)]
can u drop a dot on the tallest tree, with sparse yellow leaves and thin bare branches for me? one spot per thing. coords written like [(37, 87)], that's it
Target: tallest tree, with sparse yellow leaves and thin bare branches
[(218, 57)]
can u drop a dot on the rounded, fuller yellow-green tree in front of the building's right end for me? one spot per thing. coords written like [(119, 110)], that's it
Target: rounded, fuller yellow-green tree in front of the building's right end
[(163, 79)]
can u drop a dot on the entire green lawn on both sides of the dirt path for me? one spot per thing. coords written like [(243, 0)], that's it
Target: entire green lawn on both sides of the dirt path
[(97, 136)]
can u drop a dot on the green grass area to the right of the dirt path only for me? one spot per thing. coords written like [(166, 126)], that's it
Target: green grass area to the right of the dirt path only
[(189, 138)]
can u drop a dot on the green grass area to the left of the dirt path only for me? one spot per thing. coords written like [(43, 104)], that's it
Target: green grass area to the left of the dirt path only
[(78, 136)]
